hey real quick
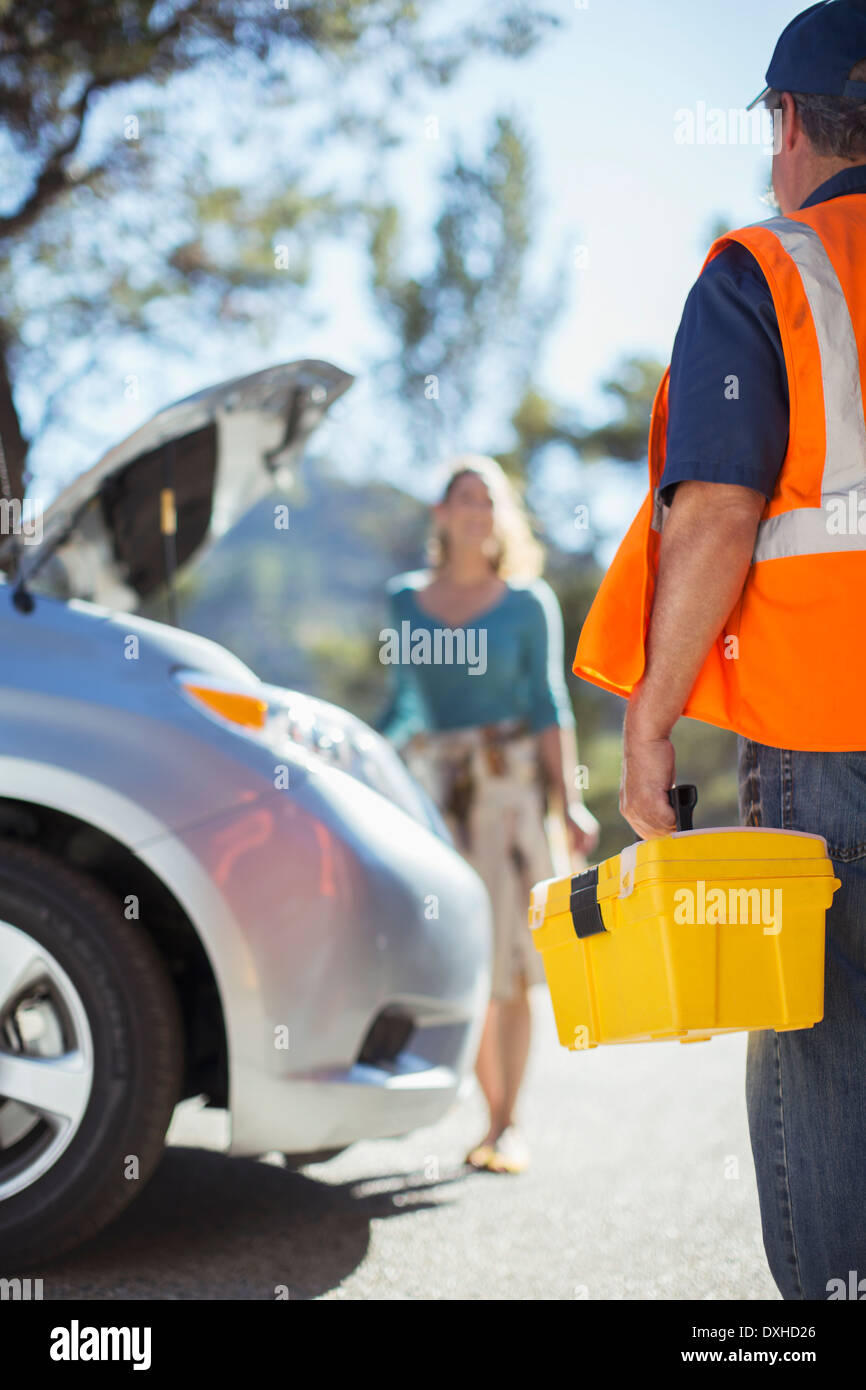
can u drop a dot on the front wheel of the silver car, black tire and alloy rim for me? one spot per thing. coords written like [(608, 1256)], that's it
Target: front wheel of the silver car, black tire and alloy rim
[(91, 1033)]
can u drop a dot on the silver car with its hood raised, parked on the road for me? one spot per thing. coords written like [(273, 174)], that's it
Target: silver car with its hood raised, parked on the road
[(208, 886)]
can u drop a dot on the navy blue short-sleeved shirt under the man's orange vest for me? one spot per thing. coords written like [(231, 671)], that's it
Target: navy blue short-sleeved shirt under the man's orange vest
[(729, 383)]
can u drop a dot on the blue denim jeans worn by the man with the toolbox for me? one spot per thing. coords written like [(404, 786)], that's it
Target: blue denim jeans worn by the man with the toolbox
[(807, 1090)]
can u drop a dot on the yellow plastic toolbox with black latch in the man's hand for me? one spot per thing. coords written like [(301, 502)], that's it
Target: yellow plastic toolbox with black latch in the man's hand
[(687, 936)]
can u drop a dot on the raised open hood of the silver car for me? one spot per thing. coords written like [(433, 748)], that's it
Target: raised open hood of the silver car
[(159, 497)]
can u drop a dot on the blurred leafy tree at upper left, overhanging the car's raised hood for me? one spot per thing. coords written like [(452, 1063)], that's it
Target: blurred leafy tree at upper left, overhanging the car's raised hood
[(120, 219)]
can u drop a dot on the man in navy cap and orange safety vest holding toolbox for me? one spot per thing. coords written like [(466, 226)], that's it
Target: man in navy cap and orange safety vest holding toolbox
[(739, 598)]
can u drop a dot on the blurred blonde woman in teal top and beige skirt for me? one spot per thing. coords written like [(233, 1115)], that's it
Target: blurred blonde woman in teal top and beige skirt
[(493, 739)]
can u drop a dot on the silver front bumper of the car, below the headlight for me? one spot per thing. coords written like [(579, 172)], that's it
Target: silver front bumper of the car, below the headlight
[(336, 908)]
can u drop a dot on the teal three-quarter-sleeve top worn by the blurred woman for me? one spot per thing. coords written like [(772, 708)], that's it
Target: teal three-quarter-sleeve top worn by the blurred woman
[(505, 664)]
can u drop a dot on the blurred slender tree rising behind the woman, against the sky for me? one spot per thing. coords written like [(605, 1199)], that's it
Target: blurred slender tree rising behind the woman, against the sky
[(469, 326)]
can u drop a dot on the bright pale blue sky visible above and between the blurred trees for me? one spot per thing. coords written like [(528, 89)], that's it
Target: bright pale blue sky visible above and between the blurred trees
[(621, 201)]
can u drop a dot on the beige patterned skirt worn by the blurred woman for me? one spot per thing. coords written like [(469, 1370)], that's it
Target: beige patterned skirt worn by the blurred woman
[(487, 785)]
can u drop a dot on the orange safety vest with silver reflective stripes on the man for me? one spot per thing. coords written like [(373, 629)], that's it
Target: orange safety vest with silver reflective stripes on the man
[(789, 669)]
